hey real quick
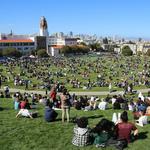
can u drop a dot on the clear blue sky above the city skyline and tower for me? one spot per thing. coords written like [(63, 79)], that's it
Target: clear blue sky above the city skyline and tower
[(102, 17)]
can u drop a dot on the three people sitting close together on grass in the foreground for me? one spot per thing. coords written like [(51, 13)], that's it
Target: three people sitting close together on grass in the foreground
[(105, 132)]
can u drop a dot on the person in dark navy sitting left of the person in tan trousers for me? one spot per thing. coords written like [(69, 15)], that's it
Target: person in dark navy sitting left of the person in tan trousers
[(50, 114)]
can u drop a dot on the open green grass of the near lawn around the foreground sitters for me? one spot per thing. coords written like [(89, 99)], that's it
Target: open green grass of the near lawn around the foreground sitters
[(36, 134)]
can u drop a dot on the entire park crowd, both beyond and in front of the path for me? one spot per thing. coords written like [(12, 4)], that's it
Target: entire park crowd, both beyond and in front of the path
[(76, 73)]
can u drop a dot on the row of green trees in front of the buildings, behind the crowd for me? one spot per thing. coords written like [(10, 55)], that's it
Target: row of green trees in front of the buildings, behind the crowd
[(73, 49)]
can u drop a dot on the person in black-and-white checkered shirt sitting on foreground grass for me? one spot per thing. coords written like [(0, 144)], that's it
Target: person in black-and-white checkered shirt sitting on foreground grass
[(81, 133)]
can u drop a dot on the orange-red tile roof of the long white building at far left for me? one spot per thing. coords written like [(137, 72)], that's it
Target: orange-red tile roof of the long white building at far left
[(16, 41)]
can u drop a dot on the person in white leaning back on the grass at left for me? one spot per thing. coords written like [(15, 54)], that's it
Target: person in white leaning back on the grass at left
[(26, 113)]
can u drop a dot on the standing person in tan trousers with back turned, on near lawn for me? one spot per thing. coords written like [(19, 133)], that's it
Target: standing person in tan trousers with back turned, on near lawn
[(65, 105)]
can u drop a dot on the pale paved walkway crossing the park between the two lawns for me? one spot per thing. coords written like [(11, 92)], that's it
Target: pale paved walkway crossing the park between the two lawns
[(77, 93)]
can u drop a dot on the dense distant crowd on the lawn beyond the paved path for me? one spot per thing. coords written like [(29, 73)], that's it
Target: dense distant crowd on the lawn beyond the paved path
[(80, 73)]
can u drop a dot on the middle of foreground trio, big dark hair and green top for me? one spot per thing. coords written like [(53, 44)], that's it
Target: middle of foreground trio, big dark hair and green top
[(102, 132)]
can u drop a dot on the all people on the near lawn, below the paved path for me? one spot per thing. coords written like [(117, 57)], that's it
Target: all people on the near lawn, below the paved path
[(105, 133)]
